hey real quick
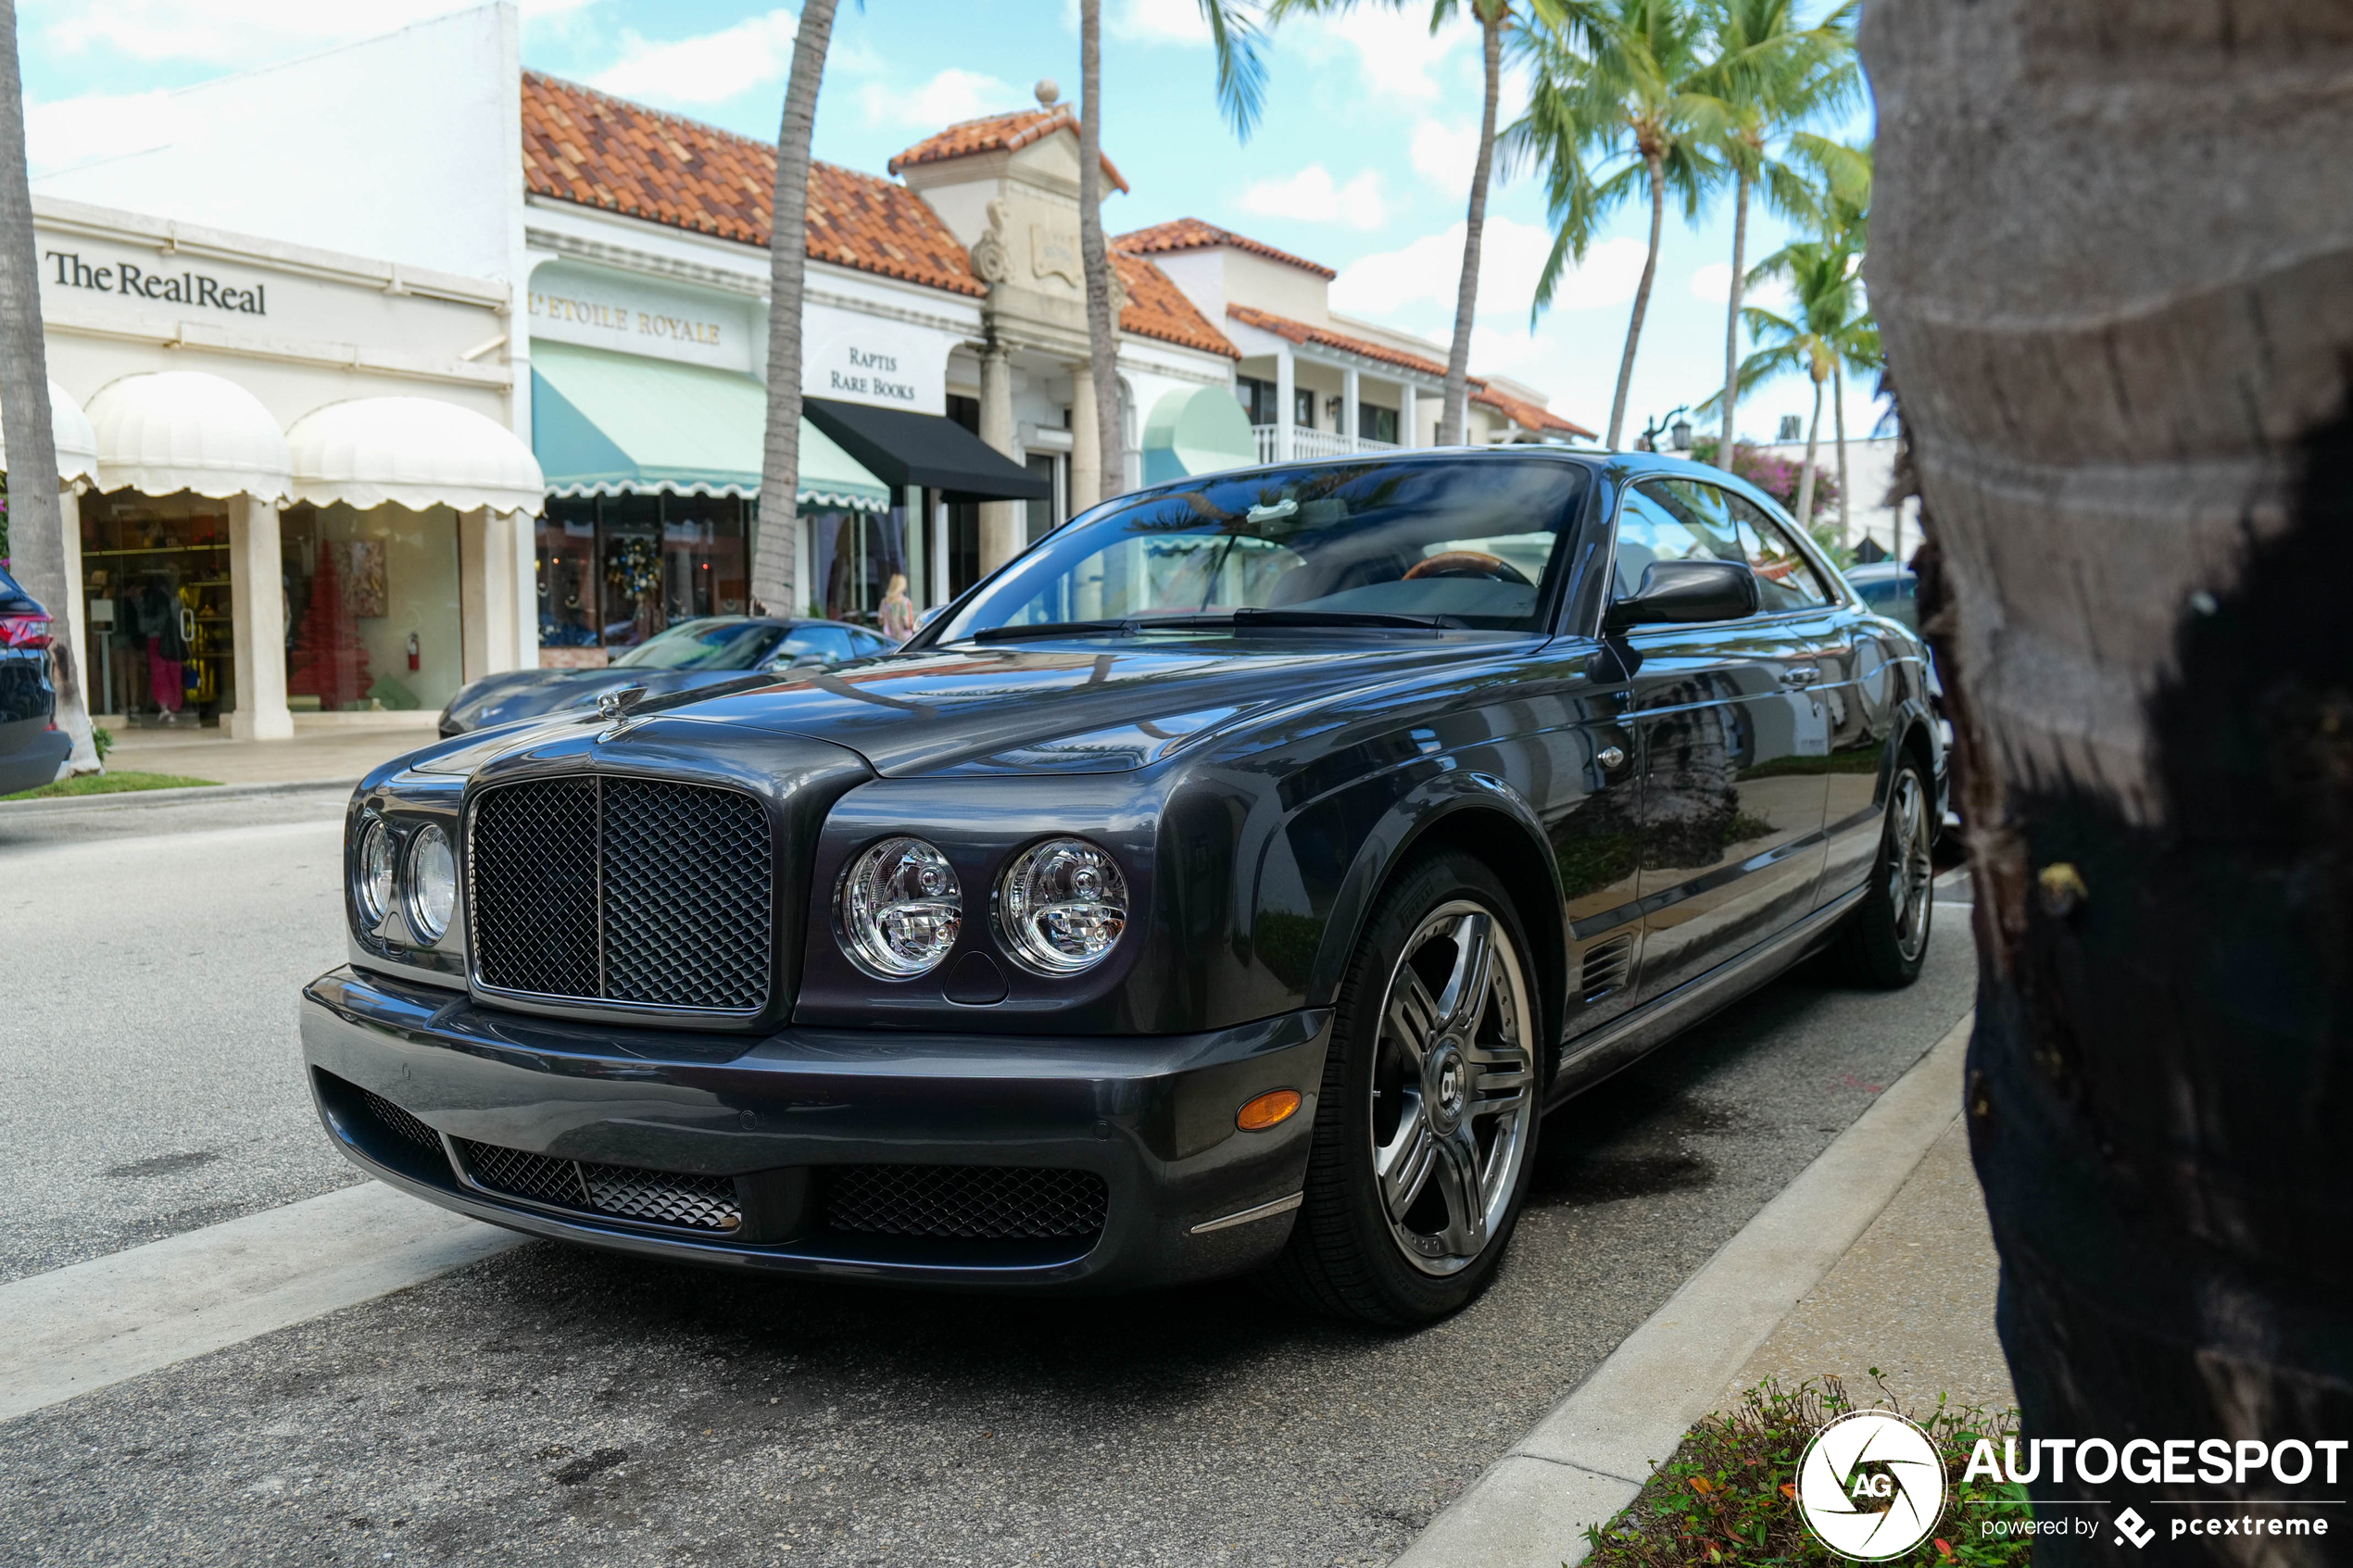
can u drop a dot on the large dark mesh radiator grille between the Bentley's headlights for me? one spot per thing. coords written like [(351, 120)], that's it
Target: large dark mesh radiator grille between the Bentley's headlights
[(622, 890)]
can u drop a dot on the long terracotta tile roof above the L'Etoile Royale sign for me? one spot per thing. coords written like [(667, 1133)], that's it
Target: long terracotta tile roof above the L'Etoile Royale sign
[(620, 156)]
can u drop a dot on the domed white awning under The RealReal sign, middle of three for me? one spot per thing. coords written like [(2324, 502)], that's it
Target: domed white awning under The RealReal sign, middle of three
[(180, 429)]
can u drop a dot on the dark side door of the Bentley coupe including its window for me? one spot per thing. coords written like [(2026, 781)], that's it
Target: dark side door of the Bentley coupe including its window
[(1733, 746)]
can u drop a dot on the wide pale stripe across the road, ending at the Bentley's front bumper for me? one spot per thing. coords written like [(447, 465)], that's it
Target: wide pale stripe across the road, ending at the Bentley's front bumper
[(84, 1327)]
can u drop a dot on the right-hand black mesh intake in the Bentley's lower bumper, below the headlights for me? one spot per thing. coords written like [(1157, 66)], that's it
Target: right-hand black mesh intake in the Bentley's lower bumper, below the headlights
[(992, 1202)]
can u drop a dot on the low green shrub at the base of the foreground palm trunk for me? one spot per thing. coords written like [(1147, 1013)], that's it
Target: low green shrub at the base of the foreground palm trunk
[(1728, 1496)]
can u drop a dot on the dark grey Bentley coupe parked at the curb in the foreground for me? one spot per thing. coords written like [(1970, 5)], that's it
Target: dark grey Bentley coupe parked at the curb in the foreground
[(1225, 885)]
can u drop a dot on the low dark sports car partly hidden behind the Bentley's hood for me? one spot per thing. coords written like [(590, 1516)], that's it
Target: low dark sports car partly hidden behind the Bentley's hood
[(681, 659)]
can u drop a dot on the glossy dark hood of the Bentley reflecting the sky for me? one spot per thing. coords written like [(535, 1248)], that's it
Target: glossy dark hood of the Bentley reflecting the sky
[(1067, 709)]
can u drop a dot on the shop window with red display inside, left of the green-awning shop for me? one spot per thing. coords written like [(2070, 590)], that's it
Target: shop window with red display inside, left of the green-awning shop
[(373, 608)]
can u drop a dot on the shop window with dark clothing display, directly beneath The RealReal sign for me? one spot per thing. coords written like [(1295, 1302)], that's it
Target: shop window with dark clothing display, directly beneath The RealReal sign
[(156, 596)]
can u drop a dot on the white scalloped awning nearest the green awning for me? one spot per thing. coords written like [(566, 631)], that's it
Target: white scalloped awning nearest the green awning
[(413, 453)]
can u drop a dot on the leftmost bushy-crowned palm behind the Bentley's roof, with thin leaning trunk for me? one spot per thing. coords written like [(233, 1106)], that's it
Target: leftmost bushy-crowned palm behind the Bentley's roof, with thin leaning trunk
[(1618, 112)]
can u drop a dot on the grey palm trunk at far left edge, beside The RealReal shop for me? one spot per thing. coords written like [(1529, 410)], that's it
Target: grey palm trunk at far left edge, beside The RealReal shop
[(36, 523)]
